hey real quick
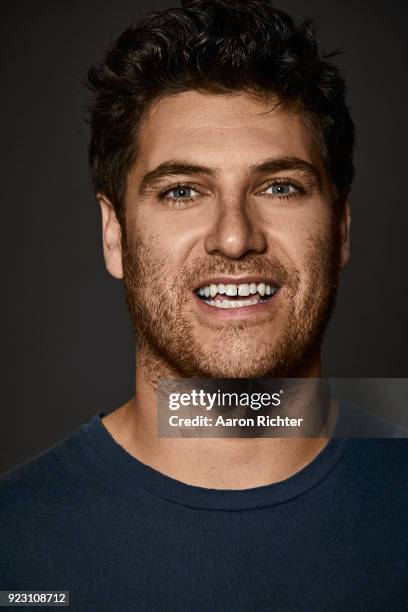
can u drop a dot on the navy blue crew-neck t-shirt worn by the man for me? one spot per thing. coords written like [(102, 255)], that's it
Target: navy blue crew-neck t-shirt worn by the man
[(87, 517)]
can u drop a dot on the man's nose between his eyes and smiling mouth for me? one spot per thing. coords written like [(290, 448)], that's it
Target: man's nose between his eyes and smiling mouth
[(235, 232)]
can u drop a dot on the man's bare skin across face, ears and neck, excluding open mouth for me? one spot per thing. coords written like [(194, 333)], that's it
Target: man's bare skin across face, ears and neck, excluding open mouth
[(232, 188)]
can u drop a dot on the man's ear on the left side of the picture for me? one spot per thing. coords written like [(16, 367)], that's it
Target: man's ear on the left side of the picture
[(111, 236)]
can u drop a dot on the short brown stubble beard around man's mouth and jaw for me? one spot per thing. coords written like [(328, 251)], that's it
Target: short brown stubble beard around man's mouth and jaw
[(164, 324)]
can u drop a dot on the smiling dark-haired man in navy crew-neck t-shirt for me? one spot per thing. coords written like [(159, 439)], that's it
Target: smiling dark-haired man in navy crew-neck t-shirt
[(221, 155)]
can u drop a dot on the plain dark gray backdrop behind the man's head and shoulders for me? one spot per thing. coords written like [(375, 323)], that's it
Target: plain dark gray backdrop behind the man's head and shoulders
[(66, 342)]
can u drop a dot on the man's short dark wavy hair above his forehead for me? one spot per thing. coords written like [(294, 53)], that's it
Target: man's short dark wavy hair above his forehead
[(214, 46)]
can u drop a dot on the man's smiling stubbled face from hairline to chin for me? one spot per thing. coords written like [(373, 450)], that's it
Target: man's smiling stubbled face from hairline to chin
[(229, 196)]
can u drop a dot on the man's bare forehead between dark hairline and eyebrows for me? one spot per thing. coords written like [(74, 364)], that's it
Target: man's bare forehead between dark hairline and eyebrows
[(222, 131)]
